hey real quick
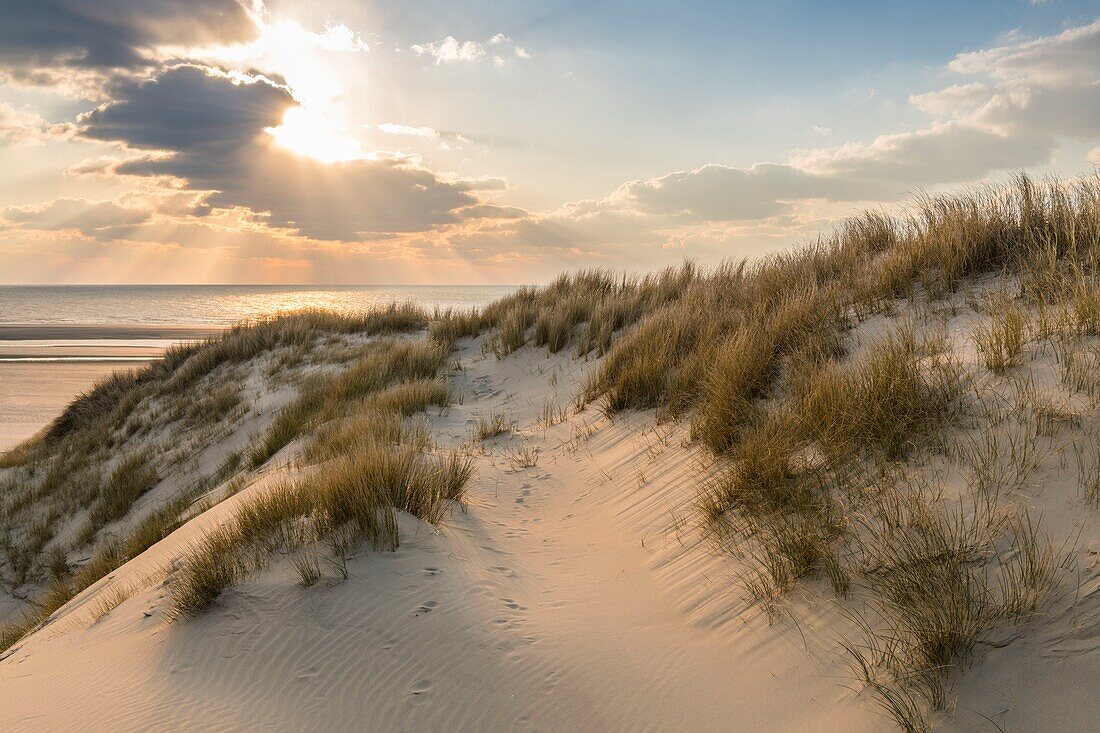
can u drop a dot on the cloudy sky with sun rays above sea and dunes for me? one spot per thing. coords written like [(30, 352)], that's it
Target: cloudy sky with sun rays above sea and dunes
[(503, 141)]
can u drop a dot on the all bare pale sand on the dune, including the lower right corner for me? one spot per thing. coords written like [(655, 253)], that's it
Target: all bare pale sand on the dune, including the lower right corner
[(576, 595)]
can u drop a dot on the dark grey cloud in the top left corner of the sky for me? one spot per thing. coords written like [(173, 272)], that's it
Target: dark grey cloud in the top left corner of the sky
[(41, 40)]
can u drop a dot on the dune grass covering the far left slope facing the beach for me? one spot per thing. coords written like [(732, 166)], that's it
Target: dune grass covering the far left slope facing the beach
[(147, 417)]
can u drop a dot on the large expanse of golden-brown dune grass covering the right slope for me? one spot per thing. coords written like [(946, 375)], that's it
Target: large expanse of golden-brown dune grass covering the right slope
[(755, 354)]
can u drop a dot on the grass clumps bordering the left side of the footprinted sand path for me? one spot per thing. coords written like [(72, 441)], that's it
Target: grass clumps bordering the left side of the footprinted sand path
[(368, 464)]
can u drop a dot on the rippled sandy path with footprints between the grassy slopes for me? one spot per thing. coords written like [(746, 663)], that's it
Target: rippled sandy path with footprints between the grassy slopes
[(557, 601)]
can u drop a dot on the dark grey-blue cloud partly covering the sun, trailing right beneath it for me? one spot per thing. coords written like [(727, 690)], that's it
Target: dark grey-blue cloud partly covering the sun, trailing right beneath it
[(210, 129)]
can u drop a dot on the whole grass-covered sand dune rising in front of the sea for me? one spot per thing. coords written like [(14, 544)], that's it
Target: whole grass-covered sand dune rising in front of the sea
[(717, 501)]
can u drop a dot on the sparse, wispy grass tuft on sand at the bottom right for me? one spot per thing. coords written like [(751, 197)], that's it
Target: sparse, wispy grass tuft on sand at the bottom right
[(942, 587)]
